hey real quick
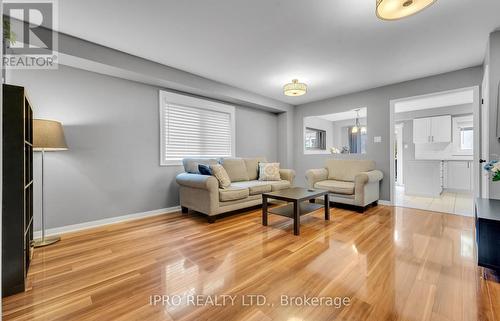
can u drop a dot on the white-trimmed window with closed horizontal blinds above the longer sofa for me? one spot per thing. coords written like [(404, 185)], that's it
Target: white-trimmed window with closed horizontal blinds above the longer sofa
[(194, 127)]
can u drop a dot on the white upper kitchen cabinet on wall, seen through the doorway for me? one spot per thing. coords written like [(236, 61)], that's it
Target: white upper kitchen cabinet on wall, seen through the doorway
[(432, 130)]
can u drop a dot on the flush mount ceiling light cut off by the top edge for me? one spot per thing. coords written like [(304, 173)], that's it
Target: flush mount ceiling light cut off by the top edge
[(397, 9)]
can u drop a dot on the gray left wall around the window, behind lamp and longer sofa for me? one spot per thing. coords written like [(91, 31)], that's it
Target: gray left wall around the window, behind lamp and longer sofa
[(112, 129)]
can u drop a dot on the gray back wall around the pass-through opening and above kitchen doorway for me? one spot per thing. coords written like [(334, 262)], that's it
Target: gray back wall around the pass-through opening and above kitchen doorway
[(377, 102)]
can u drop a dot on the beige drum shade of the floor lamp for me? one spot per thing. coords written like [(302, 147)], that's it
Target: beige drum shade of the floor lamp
[(48, 135)]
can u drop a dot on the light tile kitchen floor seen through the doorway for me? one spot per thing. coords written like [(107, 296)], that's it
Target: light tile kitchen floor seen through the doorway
[(447, 202)]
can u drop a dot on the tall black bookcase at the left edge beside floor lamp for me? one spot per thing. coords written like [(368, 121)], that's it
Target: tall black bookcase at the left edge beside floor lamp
[(17, 198)]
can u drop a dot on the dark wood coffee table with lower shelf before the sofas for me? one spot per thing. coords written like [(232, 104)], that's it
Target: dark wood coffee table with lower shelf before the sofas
[(297, 197)]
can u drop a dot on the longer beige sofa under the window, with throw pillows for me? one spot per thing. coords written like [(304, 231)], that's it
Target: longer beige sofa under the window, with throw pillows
[(202, 193)]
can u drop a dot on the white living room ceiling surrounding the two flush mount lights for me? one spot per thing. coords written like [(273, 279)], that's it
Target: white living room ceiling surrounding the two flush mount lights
[(335, 46)]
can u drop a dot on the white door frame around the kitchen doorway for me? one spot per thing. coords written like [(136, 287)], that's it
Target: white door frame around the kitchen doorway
[(477, 141)]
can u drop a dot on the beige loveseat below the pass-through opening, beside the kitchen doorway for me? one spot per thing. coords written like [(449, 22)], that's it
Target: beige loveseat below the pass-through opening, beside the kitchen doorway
[(353, 182)]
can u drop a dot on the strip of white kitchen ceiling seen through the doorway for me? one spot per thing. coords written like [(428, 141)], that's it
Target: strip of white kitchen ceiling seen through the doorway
[(453, 98)]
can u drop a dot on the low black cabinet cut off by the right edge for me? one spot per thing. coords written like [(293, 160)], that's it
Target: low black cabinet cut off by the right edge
[(488, 233)]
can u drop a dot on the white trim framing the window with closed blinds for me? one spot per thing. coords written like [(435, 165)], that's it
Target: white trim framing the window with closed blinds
[(183, 100)]
